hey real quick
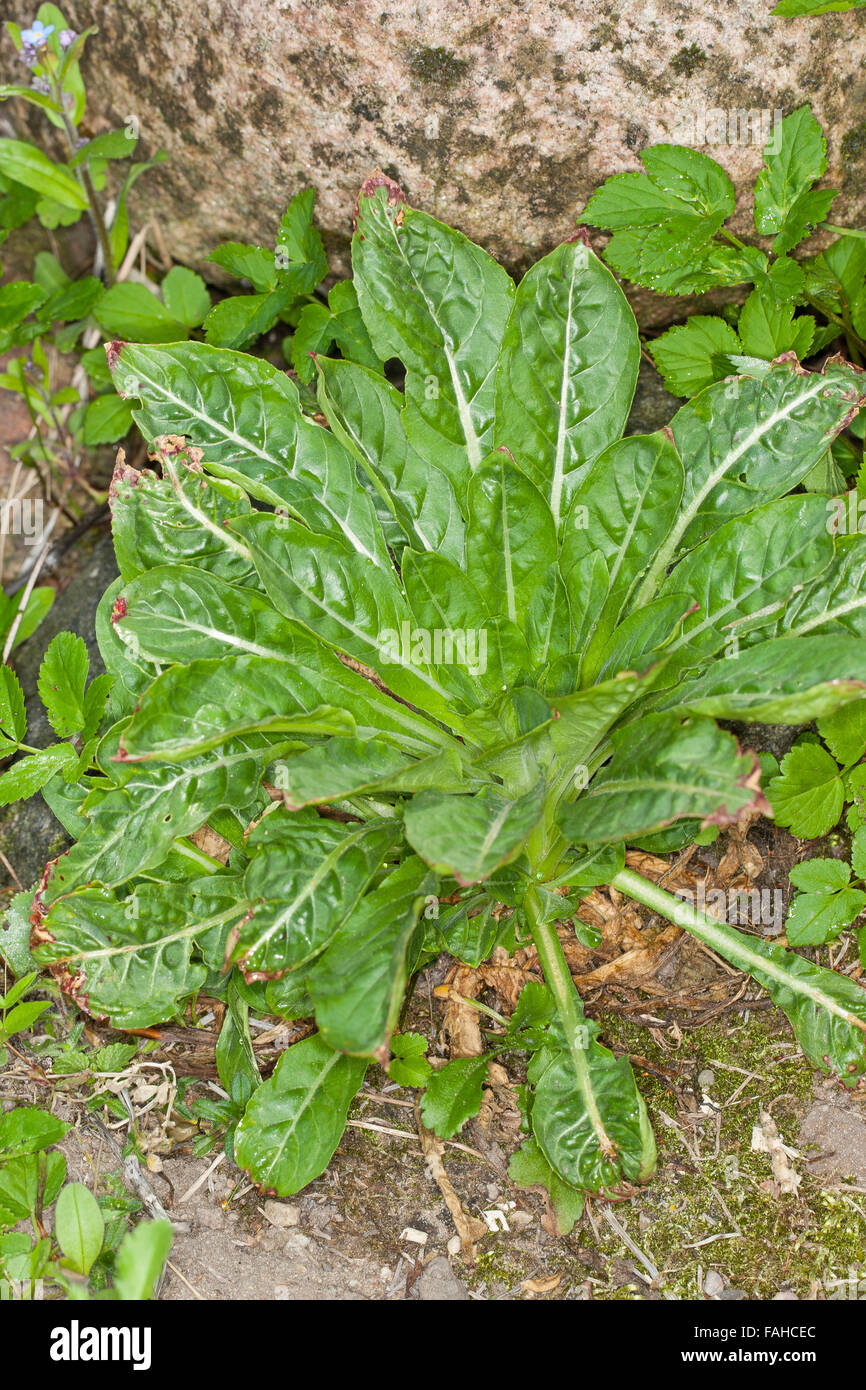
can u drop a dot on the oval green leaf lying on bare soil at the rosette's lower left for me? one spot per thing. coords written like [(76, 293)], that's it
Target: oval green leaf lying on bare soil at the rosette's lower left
[(295, 1121)]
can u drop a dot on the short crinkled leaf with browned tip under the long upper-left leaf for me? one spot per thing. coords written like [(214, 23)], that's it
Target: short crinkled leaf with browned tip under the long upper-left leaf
[(177, 519)]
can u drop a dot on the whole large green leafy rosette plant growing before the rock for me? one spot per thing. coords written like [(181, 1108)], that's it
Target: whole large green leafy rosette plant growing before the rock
[(427, 664)]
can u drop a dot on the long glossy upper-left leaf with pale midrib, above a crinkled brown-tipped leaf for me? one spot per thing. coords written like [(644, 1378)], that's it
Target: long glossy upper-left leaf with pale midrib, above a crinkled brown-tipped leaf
[(247, 418)]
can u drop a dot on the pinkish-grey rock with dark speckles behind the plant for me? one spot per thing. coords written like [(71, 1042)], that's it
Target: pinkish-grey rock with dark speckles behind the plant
[(498, 119)]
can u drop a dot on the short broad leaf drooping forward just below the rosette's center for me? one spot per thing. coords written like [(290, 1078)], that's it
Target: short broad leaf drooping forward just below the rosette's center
[(469, 837)]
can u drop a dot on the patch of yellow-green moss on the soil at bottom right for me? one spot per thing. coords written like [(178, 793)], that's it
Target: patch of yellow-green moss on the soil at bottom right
[(712, 1185)]
